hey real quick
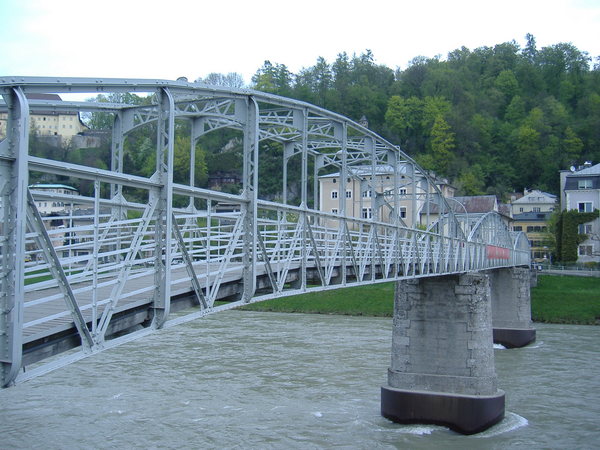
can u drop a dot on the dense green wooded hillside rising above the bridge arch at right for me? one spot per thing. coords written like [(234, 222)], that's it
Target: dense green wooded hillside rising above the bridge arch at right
[(493, 119)]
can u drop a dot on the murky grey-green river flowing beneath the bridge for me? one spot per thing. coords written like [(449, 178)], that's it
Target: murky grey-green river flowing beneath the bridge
[(267, 380)]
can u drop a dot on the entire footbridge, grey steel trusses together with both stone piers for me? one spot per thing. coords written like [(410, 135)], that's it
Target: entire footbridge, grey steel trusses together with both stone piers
[(132, 248)]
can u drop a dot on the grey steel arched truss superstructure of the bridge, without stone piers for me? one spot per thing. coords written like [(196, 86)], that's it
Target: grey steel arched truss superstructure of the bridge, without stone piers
[(117, 264)]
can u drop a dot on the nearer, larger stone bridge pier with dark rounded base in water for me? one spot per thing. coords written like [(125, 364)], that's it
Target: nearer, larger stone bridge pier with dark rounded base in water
[(442, 369)]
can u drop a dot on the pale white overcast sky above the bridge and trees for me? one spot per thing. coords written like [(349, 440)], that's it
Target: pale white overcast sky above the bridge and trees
[(171, 38)]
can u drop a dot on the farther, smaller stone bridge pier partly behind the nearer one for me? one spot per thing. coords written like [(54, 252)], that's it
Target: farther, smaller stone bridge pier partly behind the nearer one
[(511, 307)]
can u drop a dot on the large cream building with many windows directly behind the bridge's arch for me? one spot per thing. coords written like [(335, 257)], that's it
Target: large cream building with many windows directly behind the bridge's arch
[(358, 195)]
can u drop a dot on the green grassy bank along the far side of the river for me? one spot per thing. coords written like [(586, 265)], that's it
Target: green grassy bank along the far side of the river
[(556, 299)]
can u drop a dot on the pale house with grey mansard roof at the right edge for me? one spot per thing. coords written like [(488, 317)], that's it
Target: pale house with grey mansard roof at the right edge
[(580, 191)]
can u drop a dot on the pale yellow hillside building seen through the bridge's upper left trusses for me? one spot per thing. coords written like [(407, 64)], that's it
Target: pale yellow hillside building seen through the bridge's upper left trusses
[(59, 125)]
